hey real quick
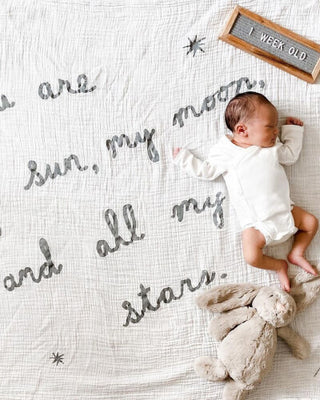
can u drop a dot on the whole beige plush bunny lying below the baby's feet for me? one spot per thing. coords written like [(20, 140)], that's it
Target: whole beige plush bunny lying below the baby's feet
[(249, 322)]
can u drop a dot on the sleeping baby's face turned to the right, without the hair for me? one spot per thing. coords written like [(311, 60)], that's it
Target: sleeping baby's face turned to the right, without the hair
[(262, 128)]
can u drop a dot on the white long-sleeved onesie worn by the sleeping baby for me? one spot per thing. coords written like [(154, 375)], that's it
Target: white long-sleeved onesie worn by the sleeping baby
[(257, 183)]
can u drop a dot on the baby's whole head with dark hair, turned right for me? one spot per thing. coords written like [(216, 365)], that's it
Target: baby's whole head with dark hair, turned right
[(252, 119)]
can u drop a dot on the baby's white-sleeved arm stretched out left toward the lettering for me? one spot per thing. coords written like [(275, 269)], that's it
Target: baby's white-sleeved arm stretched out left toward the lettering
[(206, 170)]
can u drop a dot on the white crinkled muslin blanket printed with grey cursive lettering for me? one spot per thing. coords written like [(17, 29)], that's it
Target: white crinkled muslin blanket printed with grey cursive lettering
[(103, 243)]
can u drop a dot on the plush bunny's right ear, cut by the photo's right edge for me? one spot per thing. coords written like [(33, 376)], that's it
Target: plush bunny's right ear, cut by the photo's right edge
[(304, 288)]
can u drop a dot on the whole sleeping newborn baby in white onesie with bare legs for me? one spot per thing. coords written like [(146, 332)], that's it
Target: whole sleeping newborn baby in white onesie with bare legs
[(250, 162)]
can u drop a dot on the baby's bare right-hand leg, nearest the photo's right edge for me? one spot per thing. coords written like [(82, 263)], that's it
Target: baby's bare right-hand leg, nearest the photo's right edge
[(308, 226)]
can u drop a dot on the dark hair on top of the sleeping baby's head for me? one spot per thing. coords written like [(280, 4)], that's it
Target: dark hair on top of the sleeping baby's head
[(241, 107)]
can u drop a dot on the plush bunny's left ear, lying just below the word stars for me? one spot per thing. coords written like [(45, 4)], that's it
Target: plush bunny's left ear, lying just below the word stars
[(227, 297)]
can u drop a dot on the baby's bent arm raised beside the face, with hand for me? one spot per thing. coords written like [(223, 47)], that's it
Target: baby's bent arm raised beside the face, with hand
[(291, 138)]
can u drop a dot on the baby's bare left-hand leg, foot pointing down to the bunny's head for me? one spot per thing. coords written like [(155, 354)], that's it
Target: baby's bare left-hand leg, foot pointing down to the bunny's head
[(253, 242)]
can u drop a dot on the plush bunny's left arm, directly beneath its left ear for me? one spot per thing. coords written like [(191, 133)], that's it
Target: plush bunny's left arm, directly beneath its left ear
[(220, 326)]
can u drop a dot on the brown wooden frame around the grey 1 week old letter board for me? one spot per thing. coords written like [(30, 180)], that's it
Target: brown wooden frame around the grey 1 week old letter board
[(265, 56)]
